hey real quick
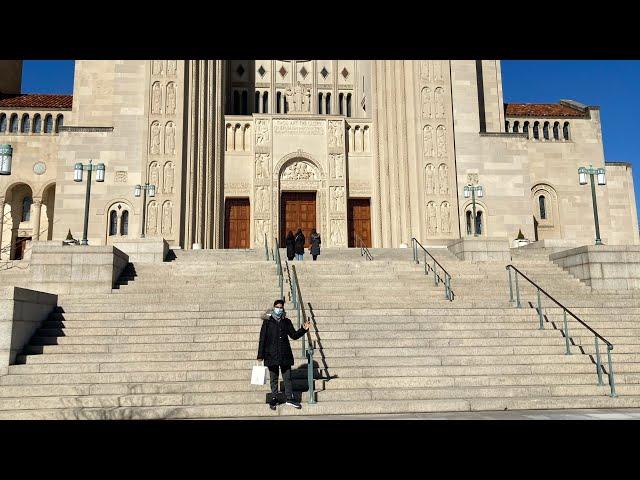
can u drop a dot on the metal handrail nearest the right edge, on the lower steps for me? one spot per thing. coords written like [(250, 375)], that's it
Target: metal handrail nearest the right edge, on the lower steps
[(565, 332)]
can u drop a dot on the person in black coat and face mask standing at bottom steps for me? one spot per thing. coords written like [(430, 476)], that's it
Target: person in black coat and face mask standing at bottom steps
[(276, 352)]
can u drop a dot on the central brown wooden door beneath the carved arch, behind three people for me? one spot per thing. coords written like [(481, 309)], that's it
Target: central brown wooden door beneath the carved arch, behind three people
[(297, 210)]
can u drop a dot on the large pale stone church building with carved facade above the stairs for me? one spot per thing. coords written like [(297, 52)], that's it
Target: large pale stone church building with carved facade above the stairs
[(244, 149)]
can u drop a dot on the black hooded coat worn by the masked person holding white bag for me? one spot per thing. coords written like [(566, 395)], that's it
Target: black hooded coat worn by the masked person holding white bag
[(274, 345)]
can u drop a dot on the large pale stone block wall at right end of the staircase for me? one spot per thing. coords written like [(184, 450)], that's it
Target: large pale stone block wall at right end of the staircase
[(602, 267)]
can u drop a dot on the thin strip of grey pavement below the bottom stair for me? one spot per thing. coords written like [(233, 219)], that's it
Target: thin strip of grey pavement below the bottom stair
[(577, 414)]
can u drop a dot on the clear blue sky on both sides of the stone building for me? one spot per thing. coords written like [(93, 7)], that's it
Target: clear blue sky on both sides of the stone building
[(611, 84)]
